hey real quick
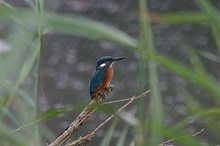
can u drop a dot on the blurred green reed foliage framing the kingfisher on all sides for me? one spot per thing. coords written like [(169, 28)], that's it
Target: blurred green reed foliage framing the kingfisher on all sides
[(21, 60)]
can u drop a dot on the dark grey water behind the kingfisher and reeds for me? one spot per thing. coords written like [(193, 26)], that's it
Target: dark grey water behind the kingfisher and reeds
[(68, 61)]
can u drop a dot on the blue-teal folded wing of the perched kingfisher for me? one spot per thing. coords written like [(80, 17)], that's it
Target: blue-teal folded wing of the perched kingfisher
[(97, 78)]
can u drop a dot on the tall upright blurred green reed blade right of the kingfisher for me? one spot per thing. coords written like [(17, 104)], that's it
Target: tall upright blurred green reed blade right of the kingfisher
[(147, 48)]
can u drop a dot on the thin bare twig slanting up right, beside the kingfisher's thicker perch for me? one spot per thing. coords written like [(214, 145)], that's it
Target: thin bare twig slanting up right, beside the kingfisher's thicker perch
[(89, 136)]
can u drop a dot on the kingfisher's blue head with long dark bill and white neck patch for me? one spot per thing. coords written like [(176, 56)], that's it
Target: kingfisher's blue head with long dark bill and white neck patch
[(107, 61)]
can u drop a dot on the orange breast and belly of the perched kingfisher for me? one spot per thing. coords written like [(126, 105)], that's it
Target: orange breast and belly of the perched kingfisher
[(106, 82)]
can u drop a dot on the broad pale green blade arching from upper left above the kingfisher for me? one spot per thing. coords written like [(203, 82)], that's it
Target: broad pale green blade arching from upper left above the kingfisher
[(73, 24)]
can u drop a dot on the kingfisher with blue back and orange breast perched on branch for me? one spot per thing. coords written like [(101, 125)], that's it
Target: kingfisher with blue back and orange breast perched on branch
[(102, 75)]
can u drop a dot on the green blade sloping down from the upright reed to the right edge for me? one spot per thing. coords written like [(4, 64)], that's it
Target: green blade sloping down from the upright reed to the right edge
[(201, 79)]
